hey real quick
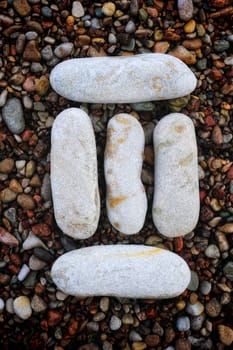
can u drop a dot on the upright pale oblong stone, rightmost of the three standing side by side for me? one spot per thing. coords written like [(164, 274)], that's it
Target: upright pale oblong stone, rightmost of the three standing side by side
[(176, 190)]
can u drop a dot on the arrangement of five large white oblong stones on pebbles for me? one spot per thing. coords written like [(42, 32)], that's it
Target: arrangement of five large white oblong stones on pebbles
[(123, 270)]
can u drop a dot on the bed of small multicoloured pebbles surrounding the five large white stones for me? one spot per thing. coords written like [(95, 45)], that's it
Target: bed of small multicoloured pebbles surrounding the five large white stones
[(35, 36)]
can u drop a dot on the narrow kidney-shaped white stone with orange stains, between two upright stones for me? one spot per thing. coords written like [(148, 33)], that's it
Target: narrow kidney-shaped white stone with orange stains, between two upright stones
[(125, 199)]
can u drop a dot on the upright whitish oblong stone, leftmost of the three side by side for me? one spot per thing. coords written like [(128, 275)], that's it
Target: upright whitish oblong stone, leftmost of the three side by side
[(74, 176)]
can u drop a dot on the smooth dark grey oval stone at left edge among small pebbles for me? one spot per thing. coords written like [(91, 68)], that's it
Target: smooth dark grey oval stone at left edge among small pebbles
[(12, 114)]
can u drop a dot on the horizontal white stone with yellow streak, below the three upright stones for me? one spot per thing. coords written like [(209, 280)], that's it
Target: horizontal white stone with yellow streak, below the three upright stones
[(131, 271)]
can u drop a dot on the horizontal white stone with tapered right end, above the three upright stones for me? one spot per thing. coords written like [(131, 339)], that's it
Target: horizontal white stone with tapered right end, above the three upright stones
[(145, 77)]
